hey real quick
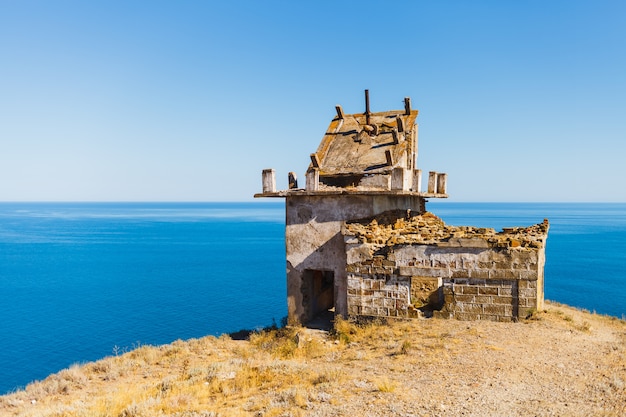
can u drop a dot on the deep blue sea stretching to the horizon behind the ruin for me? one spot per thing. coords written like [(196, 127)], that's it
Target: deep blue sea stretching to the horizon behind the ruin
[(81, 281)]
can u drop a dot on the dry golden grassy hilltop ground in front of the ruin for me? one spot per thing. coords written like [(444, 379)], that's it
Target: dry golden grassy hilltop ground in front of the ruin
[(560, 361)]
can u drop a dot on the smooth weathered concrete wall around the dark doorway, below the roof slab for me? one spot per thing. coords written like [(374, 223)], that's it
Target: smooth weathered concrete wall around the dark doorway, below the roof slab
[(314, 241)]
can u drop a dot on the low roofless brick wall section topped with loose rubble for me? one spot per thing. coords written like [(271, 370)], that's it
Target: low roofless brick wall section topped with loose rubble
[(401, 265)]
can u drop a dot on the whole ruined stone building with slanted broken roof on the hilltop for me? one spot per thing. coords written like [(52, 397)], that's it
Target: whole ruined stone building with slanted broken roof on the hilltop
[(360, 241)]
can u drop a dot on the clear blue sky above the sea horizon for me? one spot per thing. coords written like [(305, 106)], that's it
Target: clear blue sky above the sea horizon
[(190, 100)]
